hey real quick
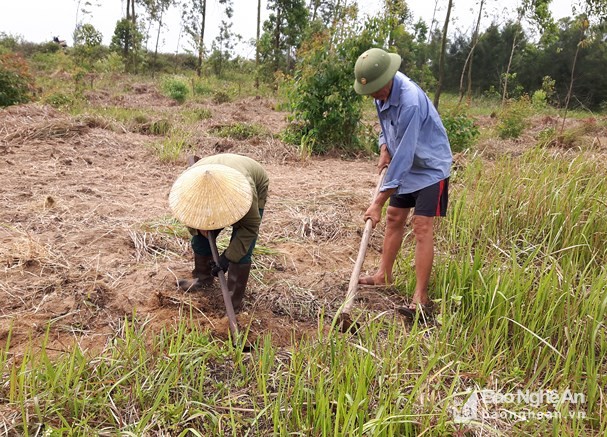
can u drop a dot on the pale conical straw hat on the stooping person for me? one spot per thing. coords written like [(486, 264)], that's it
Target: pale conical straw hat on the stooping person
[(210, 196)]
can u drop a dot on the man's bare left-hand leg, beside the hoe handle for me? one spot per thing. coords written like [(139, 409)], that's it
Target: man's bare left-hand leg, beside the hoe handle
[(395, 231)]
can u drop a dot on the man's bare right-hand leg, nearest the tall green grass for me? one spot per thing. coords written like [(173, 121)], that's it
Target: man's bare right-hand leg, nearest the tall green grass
[(424, 256)]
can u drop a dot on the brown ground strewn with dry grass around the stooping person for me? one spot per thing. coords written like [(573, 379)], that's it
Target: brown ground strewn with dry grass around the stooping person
[(84, 218)]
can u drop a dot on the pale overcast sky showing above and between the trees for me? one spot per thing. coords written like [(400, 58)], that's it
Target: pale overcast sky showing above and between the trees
[(40, 20)]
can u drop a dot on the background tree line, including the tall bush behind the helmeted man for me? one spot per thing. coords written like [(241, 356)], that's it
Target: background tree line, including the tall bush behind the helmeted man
[(311, 47)]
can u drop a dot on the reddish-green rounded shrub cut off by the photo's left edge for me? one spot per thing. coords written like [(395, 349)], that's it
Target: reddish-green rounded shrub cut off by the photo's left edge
[(16, 83)]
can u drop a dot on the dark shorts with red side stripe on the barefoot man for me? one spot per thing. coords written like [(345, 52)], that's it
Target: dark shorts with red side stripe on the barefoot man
[(428, 202)]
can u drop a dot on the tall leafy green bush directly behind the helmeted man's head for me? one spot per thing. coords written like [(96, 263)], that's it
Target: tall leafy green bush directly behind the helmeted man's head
[(325, 109)]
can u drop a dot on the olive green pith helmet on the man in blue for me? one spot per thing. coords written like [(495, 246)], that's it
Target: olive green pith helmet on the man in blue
[(374, 69)]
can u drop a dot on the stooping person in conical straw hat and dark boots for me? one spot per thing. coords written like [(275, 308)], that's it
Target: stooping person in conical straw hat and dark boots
[(215, 192)]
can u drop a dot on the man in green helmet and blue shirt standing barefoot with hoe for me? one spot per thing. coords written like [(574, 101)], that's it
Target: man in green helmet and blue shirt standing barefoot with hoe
[(414, 146)]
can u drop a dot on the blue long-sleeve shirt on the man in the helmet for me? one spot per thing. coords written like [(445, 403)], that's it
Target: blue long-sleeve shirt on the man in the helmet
[(415, 136)]
